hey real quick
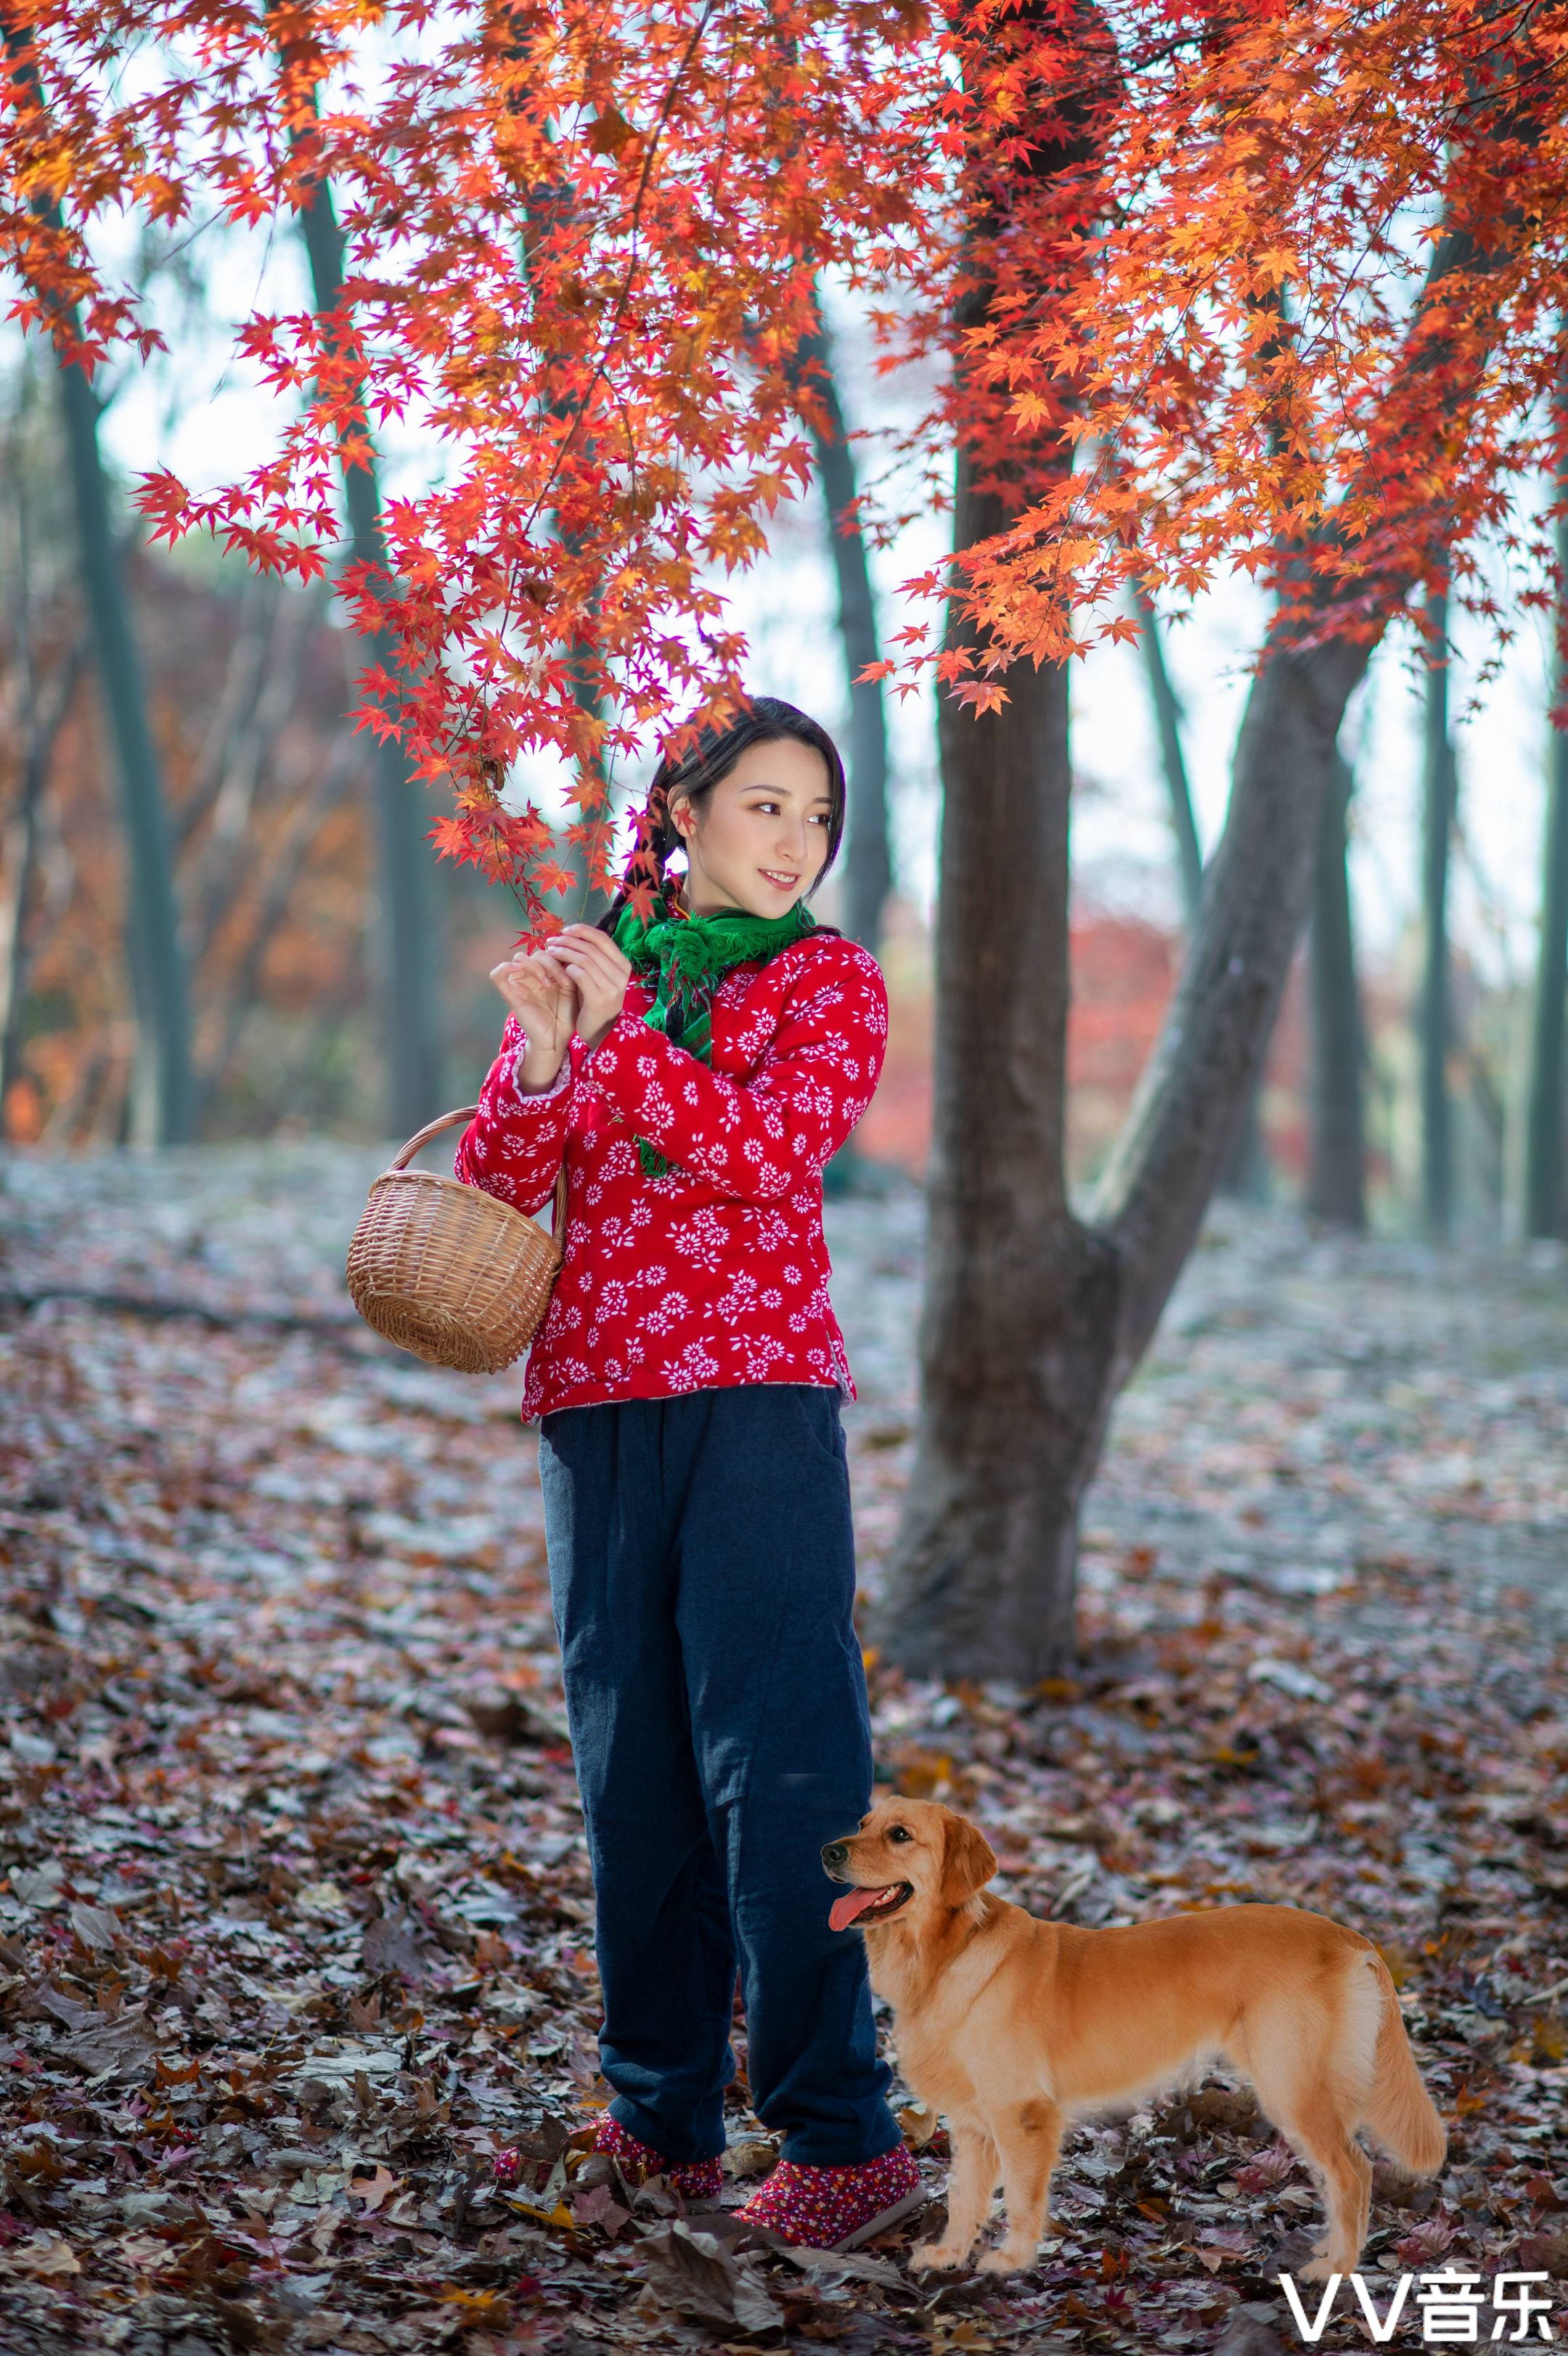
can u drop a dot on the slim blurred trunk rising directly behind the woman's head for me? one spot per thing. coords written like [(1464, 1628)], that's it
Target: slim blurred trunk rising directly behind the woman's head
[(868, 861)]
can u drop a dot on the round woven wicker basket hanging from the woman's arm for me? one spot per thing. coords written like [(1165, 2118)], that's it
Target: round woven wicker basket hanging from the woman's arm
[(446, 1271)]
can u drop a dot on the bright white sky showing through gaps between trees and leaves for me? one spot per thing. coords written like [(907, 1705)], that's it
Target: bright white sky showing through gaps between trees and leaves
[(199, 409)]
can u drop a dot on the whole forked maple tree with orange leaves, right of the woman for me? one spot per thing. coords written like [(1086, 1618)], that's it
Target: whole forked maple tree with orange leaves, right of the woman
[(1346, 494)]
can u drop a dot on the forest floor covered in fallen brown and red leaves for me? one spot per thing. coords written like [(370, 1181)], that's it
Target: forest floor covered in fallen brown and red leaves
[(295, 1917)]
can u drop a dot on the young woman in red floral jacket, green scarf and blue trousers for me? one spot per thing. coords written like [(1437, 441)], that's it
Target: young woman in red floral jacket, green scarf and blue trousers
[(698, 1073)]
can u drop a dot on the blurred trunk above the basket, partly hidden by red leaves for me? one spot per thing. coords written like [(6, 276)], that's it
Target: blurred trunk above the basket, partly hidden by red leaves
[(408, 932)]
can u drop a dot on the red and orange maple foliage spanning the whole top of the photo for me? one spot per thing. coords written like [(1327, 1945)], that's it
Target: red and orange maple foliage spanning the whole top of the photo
[(580, 253)]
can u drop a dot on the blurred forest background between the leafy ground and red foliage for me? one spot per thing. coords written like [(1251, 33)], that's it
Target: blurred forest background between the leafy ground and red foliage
[(1416, 1080)]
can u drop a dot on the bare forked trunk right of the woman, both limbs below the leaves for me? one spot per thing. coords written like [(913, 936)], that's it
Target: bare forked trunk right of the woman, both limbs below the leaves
[(1035, 1318)]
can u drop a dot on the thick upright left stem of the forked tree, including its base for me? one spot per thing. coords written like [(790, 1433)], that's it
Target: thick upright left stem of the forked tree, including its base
[(1021, 1299)]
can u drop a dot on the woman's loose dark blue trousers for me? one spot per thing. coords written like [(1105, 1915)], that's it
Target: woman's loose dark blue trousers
[(703, 1575)]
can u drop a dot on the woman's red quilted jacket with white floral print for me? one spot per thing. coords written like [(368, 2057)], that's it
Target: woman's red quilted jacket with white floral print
[(715, 1273)]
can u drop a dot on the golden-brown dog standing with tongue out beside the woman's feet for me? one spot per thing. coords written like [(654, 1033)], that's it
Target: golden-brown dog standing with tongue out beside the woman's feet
[(1011, 2027)]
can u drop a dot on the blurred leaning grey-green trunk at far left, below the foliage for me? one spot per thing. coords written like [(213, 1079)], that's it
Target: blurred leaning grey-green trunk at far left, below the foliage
[(161, 1085)]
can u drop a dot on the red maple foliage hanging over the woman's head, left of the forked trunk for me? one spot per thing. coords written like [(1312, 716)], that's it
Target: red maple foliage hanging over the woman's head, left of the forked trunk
[(580, 249)]
